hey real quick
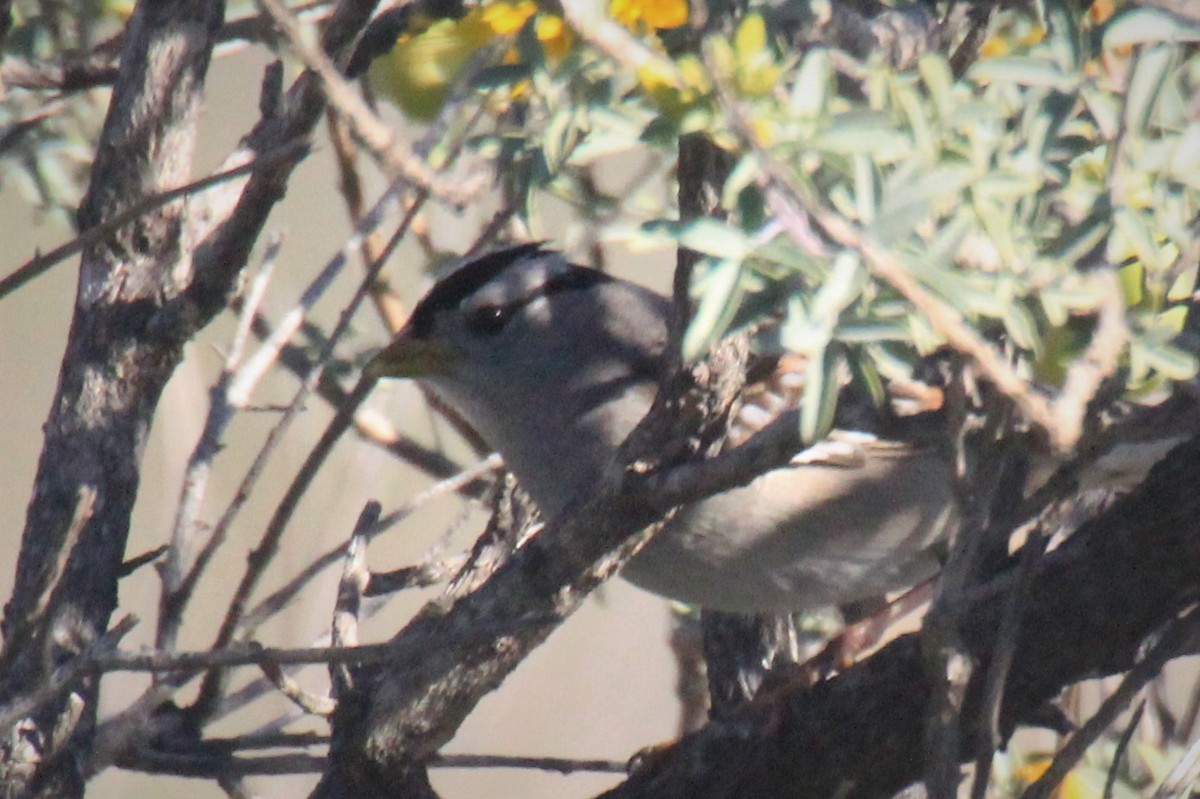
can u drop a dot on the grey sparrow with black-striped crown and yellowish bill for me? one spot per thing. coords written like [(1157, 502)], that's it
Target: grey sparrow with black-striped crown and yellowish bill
[(555, 364)]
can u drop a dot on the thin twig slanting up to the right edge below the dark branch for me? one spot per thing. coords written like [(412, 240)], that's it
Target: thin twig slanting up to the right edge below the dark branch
[(1180, 638)]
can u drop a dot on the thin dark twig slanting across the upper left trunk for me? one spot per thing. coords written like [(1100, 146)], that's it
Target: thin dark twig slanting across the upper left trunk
[(40, 265)]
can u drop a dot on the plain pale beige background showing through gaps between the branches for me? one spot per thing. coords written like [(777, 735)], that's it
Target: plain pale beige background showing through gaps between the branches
[(602, 688)]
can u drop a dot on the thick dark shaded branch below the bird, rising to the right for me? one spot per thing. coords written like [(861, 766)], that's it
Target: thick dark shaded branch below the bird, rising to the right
[(861, 735)]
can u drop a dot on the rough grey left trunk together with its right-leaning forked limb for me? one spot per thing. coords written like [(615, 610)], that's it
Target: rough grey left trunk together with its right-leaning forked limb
[(143, 293)]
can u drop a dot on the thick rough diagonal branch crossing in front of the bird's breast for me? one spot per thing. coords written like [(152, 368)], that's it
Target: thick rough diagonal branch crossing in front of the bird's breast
[(448, 659)]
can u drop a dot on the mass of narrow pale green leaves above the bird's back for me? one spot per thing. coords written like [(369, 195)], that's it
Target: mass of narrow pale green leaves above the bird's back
[(1071, 147)]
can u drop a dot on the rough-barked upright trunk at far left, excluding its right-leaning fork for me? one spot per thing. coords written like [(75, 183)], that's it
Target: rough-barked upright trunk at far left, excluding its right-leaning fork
[(121, 353)]
